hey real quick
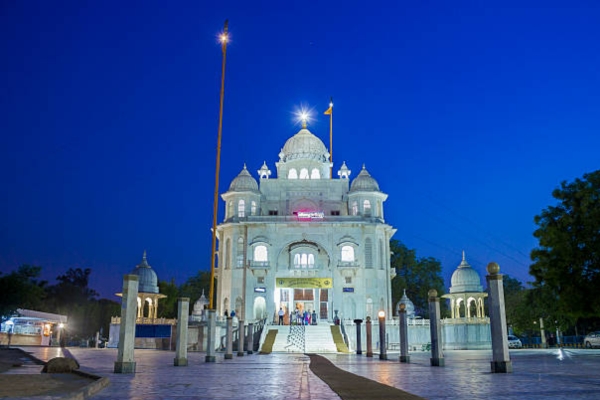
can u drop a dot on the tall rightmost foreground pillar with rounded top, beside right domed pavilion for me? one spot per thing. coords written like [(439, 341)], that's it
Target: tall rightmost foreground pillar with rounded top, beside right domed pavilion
[(500, 356)]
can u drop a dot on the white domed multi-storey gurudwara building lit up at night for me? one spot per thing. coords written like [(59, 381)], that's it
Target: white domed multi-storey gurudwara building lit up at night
[(304, 240)]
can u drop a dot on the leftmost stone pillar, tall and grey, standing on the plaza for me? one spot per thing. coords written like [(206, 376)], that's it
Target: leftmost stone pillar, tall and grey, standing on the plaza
[(125, 363)]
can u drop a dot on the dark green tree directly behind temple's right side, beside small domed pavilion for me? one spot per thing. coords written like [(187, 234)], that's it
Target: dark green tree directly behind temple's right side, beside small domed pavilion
[(416, 275)]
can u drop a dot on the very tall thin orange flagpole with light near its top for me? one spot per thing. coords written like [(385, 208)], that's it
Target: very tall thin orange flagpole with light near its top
[(223, 38)]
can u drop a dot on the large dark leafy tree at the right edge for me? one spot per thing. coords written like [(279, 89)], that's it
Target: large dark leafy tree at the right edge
[(566, 264)]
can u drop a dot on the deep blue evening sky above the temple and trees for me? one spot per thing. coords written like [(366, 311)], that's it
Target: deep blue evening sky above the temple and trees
[(468, 114)]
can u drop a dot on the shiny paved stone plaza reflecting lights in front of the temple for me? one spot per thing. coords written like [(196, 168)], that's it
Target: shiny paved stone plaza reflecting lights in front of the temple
[(538, 374)]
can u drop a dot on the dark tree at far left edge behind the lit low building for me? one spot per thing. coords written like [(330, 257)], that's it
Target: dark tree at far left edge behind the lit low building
[(21, 289)]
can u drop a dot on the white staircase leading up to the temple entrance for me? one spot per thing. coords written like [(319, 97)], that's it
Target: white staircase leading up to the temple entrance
[(300, 339)]
